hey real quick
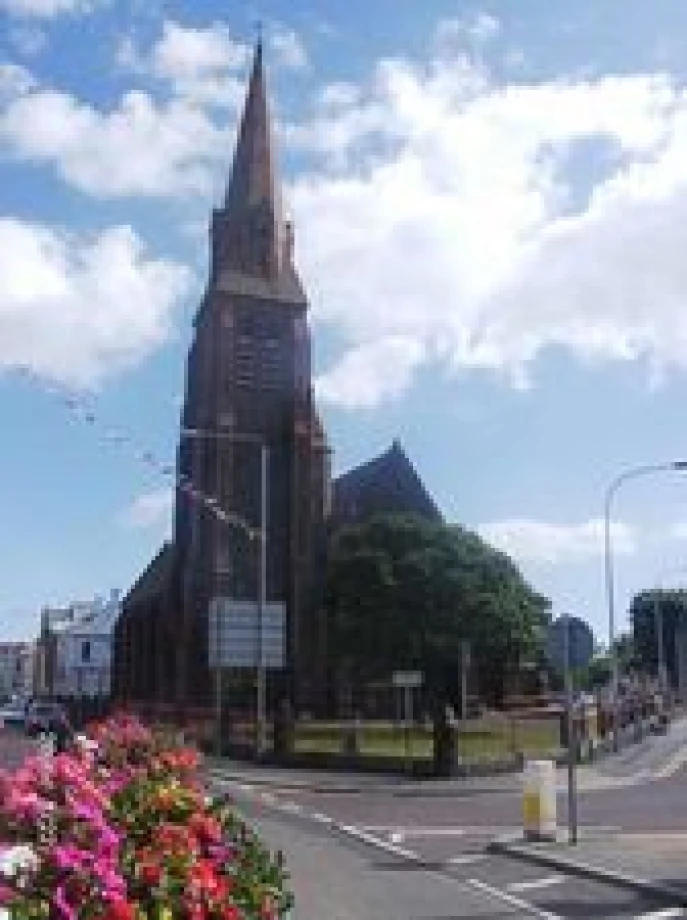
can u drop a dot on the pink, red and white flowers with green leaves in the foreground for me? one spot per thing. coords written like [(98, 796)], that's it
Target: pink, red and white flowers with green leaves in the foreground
[(124, 830)]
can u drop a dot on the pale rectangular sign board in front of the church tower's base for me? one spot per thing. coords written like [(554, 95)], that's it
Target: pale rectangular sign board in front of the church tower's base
[(233, 634)]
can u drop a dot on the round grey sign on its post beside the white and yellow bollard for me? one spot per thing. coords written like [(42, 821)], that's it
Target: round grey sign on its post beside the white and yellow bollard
[(570, 646)]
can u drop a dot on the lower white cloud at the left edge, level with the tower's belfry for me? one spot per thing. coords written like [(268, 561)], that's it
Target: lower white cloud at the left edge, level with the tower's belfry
[(76, 309)]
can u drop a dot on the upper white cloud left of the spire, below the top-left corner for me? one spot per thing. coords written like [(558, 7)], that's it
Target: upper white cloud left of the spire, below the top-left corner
[(140, 147)]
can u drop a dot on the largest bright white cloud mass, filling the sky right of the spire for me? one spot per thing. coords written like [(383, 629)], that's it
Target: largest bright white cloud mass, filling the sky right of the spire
[(472, 231)]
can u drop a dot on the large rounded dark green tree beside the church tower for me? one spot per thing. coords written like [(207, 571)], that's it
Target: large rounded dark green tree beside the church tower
[(403, 593)]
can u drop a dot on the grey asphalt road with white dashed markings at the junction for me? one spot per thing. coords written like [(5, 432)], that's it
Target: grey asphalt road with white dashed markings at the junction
[(391, 855)]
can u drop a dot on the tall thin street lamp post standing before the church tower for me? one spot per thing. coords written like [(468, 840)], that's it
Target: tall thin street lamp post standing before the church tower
[(259, 534)]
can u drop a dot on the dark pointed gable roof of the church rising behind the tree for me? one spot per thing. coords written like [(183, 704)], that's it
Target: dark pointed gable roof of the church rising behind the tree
[(388, 484)]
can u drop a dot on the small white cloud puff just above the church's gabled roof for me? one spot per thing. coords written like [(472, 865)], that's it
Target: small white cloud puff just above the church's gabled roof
[(356, 381)]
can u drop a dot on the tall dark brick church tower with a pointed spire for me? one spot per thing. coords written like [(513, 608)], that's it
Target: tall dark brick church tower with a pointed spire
[(248, 383)]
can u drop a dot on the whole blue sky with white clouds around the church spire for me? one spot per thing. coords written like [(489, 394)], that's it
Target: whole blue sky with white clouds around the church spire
[(490, 205)]
